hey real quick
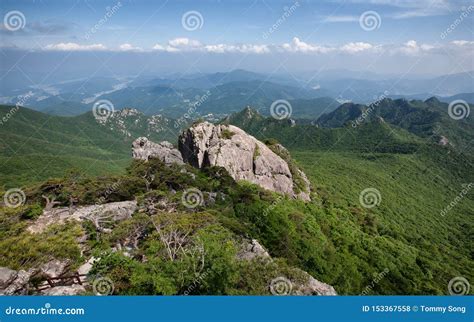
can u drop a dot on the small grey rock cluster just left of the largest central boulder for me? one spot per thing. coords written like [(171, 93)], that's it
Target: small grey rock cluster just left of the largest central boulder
[(143, 149)]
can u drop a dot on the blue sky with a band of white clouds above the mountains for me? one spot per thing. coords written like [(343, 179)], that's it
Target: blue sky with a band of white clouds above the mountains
[(418, 37)]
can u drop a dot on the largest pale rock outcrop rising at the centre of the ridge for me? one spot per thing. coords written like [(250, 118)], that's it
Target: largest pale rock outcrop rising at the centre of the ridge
[(243, 156)]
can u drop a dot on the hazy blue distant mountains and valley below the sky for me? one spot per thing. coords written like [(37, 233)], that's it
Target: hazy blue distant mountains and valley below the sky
[(223, 93)]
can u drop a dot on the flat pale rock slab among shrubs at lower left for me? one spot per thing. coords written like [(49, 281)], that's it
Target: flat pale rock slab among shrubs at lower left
[(99, 215)]
